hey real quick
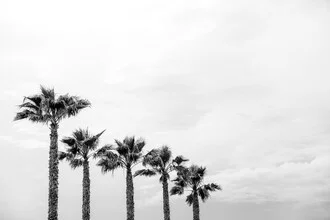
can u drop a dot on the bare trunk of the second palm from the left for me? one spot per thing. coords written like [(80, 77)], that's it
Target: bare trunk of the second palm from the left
[(86, 192)]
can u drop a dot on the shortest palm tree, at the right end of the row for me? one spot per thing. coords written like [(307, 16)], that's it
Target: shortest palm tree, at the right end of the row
[(192, 178)]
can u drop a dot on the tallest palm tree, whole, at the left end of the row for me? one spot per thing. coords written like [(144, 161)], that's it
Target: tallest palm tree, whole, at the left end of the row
[(48, 109)]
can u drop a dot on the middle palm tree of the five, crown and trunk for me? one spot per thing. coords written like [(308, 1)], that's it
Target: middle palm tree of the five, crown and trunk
[(125, 155)]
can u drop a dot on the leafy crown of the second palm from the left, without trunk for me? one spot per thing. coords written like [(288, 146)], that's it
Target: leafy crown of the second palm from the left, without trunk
[(81, 147)]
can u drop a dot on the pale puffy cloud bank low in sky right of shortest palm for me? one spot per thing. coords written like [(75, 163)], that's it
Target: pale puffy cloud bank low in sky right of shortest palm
[(304, 183)]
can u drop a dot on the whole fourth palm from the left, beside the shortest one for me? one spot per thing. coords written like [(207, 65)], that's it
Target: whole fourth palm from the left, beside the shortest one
[(159, 162)]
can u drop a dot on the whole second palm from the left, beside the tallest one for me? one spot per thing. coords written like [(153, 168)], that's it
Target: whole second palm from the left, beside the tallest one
[(81, 146)]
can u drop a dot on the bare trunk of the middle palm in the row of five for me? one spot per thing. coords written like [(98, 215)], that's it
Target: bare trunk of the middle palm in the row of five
[(129, 194)]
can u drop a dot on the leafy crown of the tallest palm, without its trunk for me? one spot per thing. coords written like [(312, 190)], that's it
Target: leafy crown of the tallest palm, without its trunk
[(46, 107)]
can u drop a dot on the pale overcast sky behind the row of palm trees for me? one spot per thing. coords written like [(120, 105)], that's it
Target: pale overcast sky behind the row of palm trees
[(241, 87)]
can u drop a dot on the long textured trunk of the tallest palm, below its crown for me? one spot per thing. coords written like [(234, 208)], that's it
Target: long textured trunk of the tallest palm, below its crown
[(53, 174)]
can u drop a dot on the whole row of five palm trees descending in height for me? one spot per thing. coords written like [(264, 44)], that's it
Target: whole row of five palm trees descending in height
[(49, 109)]
